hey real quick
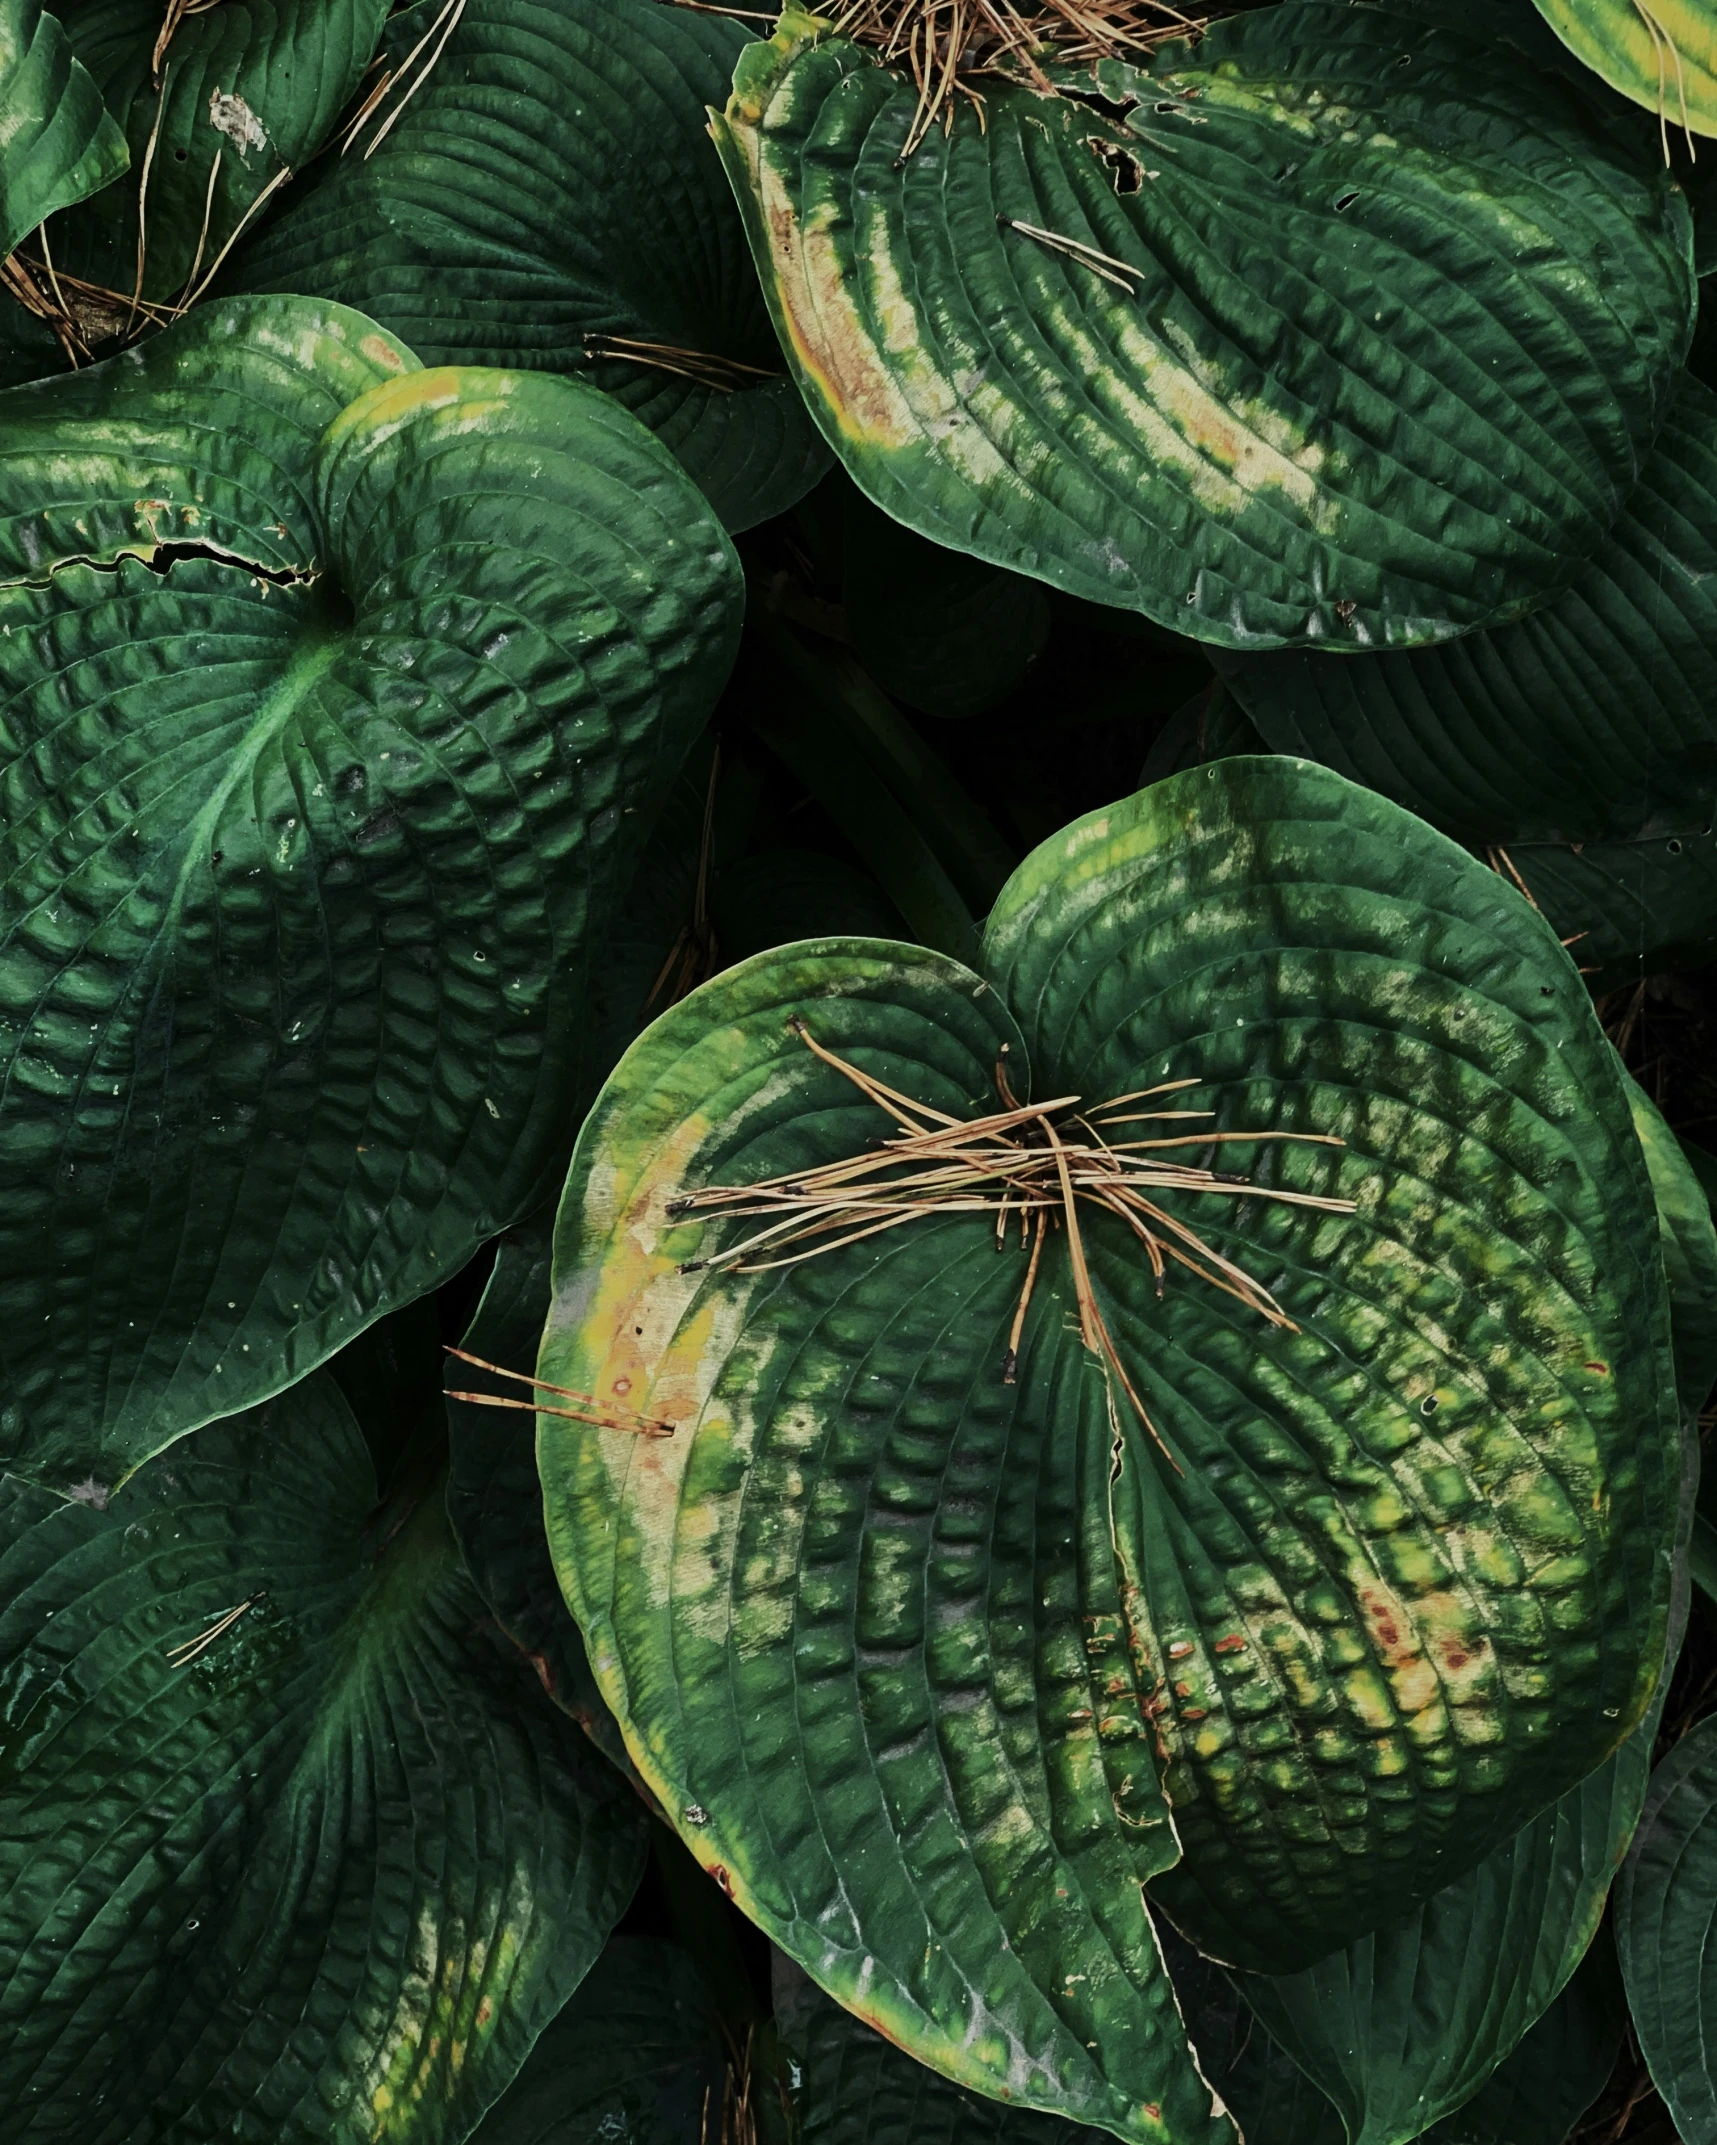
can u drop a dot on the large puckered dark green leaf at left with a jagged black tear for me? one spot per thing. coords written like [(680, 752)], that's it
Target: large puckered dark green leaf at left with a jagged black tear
[(329, 718)]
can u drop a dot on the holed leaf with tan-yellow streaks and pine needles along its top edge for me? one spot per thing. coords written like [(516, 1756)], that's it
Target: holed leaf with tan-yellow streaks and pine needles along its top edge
[(1312, 385)]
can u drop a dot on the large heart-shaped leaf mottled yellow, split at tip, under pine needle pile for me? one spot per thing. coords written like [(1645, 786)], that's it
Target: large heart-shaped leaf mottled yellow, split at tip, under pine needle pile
[(920, 1659)]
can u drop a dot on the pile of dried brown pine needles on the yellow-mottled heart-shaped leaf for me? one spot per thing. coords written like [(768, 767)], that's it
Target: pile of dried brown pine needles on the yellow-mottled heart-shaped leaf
[(1014, 1162)]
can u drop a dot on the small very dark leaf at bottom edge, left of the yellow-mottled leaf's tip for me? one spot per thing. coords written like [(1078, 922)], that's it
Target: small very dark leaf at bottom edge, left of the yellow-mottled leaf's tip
[(630, 2060)]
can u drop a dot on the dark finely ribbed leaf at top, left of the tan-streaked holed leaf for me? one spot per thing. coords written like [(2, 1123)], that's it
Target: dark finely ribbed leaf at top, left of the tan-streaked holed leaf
[(551, 201)]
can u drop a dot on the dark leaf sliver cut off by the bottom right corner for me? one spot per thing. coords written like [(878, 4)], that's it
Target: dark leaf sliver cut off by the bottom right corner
[(1667, 1904)]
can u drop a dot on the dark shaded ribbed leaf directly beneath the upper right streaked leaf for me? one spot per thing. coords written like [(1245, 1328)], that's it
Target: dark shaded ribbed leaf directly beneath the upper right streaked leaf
[(1589, 720)]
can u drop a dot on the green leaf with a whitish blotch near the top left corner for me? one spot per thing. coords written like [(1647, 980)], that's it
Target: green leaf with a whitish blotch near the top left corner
[(216, 117)]
